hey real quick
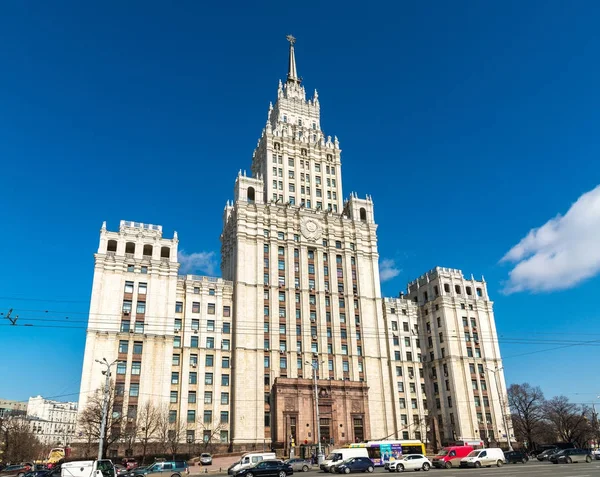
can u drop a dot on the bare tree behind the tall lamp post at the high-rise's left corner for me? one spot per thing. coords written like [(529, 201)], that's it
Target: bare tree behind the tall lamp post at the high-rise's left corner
[(90, 420)]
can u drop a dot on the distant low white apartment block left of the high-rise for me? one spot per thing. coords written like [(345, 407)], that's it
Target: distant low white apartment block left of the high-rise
[(53, 422)]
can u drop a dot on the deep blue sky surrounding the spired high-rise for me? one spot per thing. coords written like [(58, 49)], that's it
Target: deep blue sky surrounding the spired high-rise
[(469, 123)]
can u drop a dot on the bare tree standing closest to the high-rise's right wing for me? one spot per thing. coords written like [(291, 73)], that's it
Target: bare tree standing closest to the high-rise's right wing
[(527, 405)]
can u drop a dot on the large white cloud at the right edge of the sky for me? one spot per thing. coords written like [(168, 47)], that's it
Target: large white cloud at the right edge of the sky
[(561, 253)]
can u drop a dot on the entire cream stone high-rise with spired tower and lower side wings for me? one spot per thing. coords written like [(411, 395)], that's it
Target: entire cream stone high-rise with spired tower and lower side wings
[(231, 359)]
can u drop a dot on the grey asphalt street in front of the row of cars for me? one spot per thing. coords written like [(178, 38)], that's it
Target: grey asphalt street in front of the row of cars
[(533, 467)]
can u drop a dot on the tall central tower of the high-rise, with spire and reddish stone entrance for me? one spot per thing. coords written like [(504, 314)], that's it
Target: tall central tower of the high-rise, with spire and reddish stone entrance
[(304, 264)]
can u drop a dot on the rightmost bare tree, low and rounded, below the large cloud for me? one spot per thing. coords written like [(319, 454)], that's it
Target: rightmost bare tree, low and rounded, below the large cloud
[(570, 421)]
